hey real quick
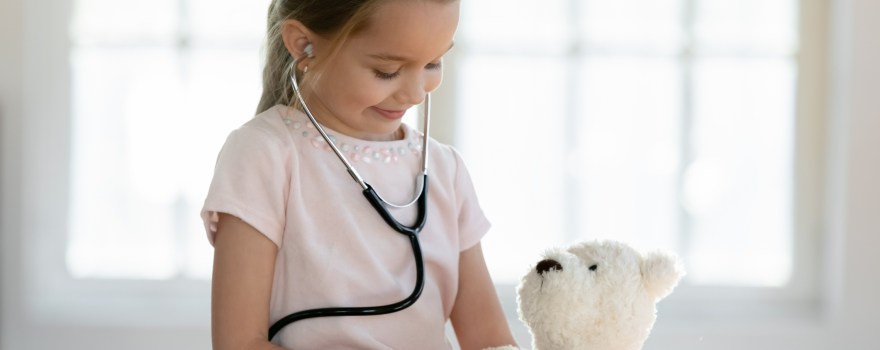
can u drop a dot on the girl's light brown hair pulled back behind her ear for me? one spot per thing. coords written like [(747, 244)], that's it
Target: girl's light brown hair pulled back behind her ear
[(332, 19)]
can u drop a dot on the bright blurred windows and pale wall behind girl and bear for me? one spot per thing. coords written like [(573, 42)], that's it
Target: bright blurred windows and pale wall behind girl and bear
[(739, 134)]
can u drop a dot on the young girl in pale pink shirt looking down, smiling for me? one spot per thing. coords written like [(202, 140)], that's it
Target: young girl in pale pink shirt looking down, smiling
[(290, 228)]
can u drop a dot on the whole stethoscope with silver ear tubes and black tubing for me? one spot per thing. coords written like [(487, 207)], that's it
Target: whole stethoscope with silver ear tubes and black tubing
[(380, 205)]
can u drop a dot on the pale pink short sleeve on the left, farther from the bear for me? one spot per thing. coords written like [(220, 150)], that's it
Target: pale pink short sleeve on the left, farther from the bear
[(251, 182)]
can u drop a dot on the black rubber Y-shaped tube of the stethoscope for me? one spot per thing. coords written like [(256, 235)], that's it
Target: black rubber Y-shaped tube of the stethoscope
[(411, 232)]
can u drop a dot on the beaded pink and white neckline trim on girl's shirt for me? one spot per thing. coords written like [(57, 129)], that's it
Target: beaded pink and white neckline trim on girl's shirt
[(359, 152)]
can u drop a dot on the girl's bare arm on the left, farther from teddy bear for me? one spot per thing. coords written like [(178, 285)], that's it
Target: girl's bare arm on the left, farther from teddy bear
[(244, 264)]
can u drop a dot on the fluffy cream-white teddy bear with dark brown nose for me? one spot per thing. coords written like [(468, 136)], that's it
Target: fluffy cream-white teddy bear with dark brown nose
[(595, 295)]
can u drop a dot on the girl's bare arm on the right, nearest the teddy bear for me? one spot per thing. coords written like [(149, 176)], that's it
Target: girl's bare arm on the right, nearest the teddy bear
[(477, 317)]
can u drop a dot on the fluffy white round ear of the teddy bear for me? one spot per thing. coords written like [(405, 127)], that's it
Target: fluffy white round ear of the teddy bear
[(661, 272)]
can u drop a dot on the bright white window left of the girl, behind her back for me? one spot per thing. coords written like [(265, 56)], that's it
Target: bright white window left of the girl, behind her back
[(154, 96)]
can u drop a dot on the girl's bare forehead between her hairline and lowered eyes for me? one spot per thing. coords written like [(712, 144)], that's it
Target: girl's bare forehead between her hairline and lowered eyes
[(412, 29)]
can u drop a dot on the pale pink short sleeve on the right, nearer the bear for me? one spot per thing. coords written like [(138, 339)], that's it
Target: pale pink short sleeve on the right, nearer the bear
[(472, 222)]
